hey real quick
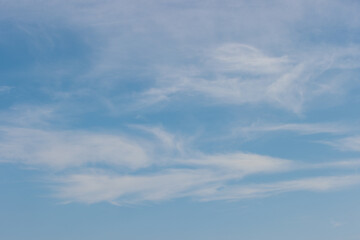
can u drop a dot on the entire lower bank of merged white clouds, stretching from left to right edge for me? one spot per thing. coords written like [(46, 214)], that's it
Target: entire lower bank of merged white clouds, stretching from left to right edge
[(94, 167)]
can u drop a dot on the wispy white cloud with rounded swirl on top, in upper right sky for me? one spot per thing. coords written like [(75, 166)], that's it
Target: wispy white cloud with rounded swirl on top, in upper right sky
[(242, 74)]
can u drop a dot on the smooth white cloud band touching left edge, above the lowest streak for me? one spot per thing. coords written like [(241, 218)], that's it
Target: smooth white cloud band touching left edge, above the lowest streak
[(66, 149)]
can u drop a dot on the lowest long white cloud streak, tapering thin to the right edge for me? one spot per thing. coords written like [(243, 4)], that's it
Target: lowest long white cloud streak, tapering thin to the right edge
[(200, 185)]
